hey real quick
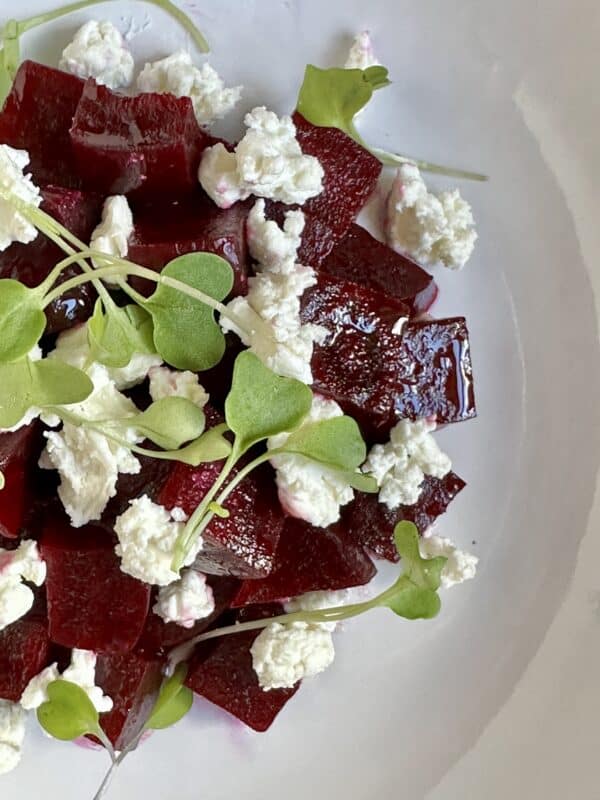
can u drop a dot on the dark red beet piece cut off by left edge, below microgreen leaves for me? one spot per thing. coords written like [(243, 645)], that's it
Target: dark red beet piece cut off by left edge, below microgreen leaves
[(19, 452)]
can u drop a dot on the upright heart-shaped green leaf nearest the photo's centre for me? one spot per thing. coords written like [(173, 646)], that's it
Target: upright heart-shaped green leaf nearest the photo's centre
[(261, 403)]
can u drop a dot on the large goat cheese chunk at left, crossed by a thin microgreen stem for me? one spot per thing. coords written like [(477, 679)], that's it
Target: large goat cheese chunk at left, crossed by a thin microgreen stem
[(87, 461)]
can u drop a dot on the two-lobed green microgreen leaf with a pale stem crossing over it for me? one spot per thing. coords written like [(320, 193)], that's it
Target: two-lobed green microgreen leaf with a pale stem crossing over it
[(186, 334)]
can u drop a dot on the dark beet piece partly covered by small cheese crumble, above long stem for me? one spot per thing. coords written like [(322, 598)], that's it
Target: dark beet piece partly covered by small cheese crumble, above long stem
[(159, 636)]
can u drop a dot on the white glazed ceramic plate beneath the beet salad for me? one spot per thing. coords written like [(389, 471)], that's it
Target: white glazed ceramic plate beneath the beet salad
[(510, 89)]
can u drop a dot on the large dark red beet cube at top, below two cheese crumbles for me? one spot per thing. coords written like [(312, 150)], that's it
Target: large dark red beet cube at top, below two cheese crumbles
[(148, 144)]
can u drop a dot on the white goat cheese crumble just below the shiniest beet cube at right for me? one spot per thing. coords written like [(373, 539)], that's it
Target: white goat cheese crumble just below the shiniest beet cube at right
[(400, 466)]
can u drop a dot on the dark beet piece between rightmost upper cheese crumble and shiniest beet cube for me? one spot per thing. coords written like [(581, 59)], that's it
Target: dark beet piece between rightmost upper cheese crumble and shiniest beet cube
[(360, 258)]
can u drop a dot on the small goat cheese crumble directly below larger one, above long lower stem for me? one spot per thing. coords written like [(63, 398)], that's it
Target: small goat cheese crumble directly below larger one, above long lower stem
[(185, 601)]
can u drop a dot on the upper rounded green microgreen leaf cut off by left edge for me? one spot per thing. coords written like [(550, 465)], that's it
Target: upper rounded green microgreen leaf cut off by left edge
[(22, 320)]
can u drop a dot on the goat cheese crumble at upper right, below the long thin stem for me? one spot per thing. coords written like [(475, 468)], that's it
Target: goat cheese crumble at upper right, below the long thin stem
[(430, 228)]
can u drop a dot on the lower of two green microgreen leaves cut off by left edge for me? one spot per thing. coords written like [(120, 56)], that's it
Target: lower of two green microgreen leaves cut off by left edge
[(29, 384)]
